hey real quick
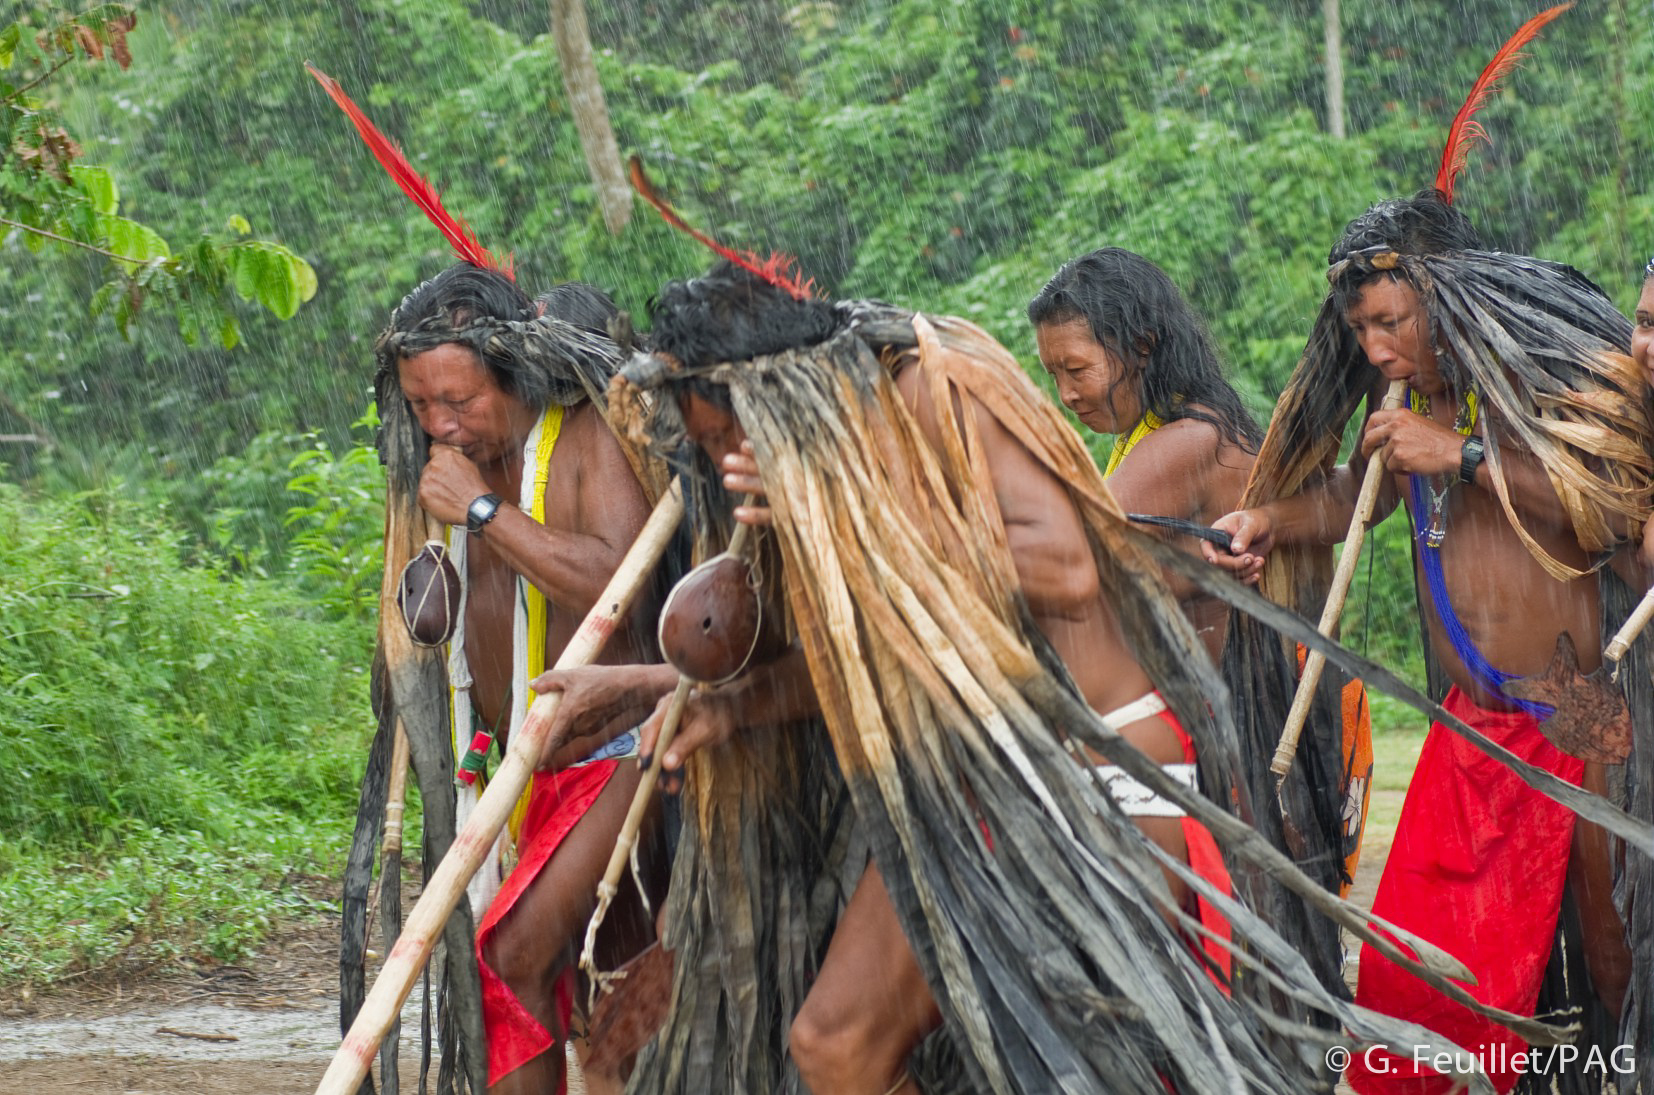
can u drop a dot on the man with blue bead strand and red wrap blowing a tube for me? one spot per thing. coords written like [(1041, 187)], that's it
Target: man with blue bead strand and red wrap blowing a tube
[(1480, 861)]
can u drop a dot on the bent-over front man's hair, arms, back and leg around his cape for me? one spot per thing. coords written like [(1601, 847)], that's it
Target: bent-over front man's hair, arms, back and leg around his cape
[(871, 1003)]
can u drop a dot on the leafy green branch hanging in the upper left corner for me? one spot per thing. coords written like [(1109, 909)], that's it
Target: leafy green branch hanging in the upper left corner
[(52, 199)]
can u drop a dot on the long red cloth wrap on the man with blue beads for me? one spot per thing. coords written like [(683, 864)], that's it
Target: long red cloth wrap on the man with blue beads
[(1478, 868)]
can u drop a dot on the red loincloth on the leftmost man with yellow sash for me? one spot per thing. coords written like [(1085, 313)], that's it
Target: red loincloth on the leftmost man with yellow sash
[(558, 801)]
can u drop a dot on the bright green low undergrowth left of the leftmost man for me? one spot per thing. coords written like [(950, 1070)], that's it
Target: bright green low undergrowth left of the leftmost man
[(179, 740)]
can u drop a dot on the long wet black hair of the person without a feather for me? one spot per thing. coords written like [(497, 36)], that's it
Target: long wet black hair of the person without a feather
[(1131, 304)]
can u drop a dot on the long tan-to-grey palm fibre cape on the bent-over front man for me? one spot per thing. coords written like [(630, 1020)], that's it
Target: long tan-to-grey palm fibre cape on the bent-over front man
[(1053, 947)]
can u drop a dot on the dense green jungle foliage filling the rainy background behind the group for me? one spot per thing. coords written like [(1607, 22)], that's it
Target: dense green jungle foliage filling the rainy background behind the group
[(189, 581)]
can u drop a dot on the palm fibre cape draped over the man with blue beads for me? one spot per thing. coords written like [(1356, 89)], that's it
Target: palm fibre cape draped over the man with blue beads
[(1546, 353)]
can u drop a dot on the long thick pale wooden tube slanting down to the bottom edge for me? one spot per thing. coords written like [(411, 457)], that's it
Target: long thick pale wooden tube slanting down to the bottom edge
[(476, 839)]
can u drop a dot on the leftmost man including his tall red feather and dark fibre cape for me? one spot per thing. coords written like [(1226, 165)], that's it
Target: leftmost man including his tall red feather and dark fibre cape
[(495, 439)]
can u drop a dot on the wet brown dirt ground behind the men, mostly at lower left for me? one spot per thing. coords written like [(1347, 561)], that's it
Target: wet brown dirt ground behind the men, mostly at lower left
[(267, 1026)]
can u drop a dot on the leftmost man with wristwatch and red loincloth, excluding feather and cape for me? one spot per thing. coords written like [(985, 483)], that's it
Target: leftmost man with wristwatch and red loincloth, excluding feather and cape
[(502, 401)]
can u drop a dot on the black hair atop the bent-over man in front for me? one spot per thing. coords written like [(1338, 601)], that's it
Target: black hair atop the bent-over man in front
[(732, 315)]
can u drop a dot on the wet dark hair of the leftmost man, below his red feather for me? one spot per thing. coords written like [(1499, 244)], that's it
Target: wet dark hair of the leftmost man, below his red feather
[(464, 305)]
